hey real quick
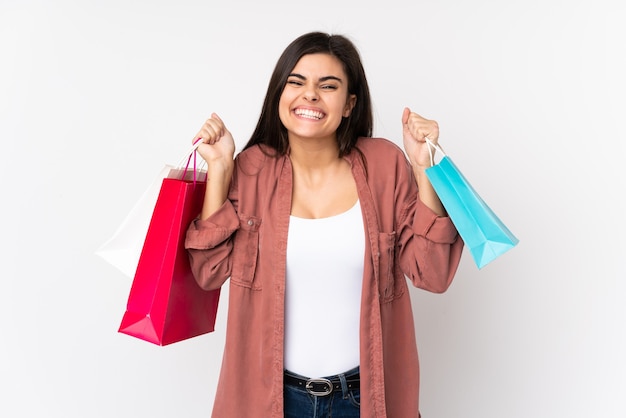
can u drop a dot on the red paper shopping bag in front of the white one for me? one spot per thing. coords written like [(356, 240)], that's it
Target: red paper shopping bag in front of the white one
[(165, 304)]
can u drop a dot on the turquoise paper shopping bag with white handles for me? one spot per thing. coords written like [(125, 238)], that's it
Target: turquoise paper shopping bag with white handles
[(483, 232)]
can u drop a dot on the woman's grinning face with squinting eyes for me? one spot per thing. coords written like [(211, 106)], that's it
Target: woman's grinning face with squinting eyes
[(315, 98)]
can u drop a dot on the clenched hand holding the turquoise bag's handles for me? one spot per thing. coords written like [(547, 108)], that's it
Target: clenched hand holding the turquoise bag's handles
[(415, 130)]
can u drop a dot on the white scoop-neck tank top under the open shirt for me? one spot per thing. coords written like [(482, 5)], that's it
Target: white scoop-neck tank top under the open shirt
[(323, 293)]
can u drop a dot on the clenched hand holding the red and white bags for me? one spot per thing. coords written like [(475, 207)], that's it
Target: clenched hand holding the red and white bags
[(217, 145)]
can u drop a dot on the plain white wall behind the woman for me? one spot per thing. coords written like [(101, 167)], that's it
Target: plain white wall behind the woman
[(96, 96)]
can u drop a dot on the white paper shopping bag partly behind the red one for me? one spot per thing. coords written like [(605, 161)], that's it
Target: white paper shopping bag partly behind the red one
[(123, 249)]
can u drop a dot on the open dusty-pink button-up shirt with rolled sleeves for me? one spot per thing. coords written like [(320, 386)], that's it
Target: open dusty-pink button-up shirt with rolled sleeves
[(246, 240)]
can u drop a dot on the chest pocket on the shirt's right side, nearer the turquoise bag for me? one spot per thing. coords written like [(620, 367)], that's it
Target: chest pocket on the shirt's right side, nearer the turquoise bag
[(392, 281)]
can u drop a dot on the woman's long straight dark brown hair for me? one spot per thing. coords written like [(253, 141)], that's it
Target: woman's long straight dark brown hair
[(270, 130)]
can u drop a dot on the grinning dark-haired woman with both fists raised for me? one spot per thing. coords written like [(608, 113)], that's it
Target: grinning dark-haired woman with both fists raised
[(317, 224)]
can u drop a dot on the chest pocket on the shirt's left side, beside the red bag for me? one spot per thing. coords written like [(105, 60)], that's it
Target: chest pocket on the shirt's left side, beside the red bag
[(246, 252)]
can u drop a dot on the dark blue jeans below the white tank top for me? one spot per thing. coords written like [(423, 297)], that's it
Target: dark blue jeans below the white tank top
[(339, 404)]
